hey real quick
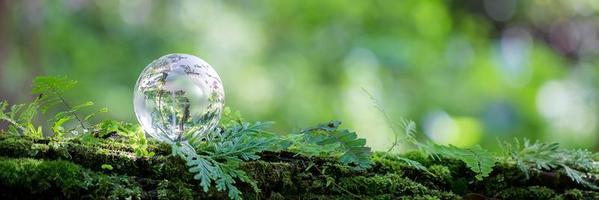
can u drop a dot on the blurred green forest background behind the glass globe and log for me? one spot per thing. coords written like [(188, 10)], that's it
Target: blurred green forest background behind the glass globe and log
[(467, 72)]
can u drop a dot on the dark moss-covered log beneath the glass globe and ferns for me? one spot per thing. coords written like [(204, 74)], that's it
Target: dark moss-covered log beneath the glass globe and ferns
[(43, 168)]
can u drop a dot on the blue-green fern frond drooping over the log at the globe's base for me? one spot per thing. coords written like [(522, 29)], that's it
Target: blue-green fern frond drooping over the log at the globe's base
[(218, 160)]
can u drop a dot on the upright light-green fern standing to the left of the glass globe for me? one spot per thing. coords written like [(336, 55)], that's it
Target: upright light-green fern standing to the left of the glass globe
[(50, 91)]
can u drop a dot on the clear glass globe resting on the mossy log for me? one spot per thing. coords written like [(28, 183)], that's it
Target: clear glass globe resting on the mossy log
[(178, 97)]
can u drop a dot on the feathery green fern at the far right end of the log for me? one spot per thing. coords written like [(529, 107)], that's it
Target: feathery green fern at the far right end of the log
[(545, 157)]
